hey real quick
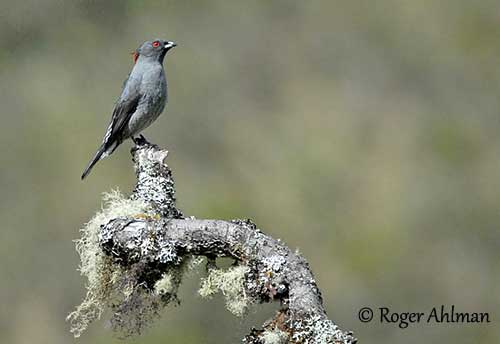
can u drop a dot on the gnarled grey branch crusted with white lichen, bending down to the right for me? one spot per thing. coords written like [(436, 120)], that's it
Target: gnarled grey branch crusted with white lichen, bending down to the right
[(162, 239)]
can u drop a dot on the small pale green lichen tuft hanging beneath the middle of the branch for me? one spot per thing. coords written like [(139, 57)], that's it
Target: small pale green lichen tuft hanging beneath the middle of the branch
[(231, 283)]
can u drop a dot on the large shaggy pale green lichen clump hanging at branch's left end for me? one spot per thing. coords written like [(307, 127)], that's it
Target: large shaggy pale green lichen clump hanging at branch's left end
[(121, 289)]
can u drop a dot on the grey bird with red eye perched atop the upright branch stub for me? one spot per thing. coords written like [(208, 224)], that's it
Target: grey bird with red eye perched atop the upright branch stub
[(143, 99)]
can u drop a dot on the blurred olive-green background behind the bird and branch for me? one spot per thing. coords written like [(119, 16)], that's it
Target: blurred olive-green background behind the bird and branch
[(364, 133)]
